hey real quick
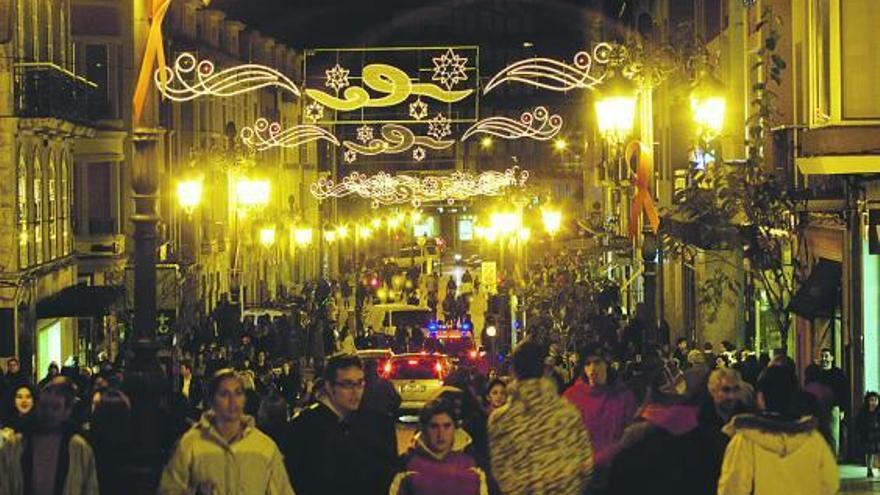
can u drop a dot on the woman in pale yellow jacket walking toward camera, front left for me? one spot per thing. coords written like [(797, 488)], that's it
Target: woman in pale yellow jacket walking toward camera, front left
[(224, 453)]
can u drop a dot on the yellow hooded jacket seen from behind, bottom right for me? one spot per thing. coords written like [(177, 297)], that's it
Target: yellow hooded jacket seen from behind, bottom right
[(769, 455)]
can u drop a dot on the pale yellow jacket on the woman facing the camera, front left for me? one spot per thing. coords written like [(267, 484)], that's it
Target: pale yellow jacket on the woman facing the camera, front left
[(252, 464)]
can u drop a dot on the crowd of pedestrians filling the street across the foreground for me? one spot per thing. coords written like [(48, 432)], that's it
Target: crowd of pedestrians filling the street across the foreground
[(696, 426)]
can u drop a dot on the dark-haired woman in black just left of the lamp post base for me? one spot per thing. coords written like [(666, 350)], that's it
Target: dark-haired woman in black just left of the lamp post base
[(110, 436)]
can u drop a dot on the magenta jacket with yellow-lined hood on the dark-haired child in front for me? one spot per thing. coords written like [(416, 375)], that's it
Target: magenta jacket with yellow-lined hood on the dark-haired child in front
[(427, 473)]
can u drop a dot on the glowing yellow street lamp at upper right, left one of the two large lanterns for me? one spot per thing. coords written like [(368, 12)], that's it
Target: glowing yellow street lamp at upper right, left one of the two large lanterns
[(616, 108)]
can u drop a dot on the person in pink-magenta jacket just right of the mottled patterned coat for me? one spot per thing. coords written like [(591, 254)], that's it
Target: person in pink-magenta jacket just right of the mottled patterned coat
[(606, 405)]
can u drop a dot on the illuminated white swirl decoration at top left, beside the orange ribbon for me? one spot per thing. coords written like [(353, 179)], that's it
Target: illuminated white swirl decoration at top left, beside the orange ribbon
[(190, 79)]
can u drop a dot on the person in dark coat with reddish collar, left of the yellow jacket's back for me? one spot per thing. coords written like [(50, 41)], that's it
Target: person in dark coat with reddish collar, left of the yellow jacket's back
[(661, 452)]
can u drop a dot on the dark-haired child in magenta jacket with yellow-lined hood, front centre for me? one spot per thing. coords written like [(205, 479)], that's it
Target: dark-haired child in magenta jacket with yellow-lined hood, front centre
[(438, 462)]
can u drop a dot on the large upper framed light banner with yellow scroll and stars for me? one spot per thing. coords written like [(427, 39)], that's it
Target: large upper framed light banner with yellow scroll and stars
[(393, 85)]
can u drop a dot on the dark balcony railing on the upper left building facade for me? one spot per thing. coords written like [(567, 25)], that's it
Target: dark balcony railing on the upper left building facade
[(45, 90)]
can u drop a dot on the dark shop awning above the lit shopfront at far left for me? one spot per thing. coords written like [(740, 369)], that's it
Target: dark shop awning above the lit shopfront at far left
[(83, 301)]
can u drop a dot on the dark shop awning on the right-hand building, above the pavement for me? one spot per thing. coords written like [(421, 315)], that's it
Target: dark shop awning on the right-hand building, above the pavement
[(820, 294)]
